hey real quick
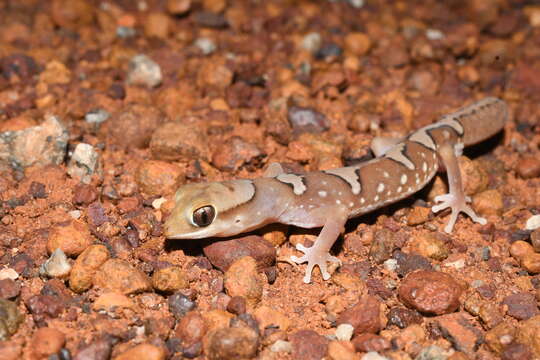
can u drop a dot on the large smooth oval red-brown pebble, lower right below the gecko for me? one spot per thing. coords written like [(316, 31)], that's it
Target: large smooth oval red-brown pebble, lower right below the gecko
[(430, 292)]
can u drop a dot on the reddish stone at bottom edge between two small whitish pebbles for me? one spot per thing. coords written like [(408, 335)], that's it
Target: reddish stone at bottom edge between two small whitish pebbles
[(308, 345)]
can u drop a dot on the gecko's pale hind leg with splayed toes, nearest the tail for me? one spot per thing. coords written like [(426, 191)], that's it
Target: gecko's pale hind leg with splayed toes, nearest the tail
[(456, 199)]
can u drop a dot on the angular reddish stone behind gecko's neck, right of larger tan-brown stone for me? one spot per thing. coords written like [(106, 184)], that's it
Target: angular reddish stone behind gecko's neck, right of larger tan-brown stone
[(235, 153)]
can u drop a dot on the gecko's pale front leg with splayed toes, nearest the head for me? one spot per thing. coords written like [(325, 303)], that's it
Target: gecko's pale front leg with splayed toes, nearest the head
[(319, 254)]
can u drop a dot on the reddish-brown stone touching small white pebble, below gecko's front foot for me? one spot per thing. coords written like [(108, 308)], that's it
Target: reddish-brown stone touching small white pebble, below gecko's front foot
[(365, 316)]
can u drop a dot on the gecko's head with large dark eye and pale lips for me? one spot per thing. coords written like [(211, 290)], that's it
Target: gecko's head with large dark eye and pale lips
[(207, 210)]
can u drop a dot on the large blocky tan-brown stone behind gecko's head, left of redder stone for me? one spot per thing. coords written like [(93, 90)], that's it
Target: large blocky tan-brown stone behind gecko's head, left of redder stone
[(176, 140)]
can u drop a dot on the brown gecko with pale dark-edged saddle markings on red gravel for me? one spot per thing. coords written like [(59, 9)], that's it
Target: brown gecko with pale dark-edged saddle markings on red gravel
[(329, 198)]
